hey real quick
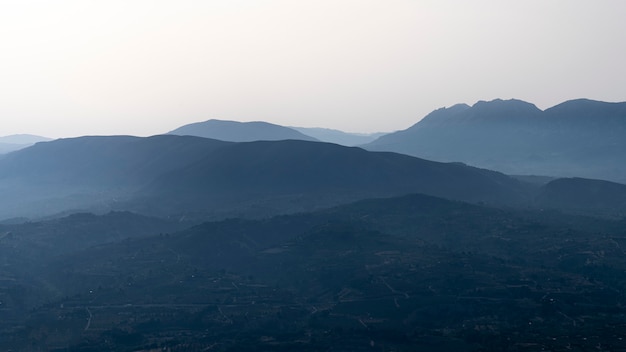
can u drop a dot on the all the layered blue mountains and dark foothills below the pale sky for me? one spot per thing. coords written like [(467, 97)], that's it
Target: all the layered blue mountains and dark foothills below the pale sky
[(245, 243)]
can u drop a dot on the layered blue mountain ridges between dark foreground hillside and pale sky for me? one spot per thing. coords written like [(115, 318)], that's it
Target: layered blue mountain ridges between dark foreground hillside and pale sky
[(170, 175)]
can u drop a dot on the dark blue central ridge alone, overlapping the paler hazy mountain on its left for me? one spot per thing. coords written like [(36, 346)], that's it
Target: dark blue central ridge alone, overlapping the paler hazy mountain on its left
[(298, 176)]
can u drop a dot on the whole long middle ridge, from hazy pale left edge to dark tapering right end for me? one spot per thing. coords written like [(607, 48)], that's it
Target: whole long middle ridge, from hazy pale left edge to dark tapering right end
[(180, 175)]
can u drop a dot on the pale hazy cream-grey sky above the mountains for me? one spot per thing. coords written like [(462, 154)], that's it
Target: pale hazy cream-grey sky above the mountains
[(144, 67)]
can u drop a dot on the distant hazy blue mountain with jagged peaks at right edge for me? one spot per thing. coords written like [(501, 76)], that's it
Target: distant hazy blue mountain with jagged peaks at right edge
[(578, 138)]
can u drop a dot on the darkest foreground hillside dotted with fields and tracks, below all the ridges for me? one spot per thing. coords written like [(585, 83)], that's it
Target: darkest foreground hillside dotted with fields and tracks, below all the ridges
[(384, 274)]
